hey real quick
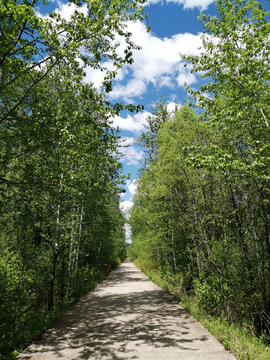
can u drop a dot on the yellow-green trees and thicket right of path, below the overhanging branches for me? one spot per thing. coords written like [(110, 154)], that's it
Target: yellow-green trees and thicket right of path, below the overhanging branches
[(206, 230)]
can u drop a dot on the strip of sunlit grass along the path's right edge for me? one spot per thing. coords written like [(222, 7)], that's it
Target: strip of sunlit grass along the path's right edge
[(242, 344)]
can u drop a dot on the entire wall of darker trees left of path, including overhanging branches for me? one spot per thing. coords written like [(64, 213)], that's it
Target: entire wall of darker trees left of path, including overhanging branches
[(60, 173)]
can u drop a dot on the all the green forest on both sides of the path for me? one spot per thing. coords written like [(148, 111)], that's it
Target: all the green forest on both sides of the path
[(201, 215)]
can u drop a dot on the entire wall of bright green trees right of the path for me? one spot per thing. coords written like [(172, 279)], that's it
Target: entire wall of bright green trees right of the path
[(201, 216)]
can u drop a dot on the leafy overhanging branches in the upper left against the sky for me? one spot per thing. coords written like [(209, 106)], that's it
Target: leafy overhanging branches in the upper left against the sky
[(31, 42)]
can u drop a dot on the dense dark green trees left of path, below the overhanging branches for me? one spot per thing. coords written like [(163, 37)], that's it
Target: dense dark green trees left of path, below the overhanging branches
[(59, 205)]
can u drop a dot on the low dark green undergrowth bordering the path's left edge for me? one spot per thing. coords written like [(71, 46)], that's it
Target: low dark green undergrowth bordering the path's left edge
[(23, 309)]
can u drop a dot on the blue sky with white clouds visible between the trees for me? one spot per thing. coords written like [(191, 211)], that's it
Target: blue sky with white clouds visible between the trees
[(157, 69)]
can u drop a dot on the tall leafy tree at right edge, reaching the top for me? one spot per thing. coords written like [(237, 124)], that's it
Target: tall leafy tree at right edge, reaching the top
[(234, 104)]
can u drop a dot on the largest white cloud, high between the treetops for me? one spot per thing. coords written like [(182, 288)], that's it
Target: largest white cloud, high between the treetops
[(158, 62)]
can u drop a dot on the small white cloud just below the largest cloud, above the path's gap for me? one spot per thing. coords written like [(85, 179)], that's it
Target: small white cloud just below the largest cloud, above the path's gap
[(133, 123)]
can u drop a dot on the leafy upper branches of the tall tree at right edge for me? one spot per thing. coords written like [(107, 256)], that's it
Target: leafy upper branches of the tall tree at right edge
[(235, 98)]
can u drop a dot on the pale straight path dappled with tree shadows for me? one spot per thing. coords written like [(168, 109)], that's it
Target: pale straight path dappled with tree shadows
[(127, 316)]
